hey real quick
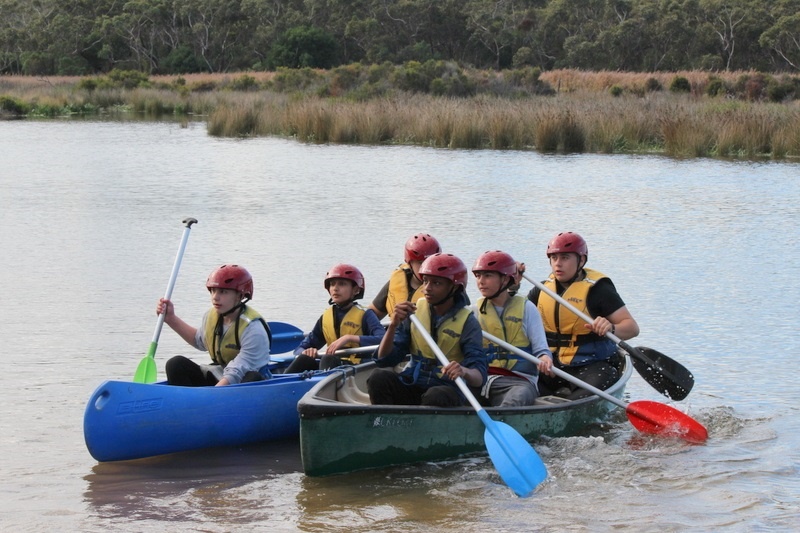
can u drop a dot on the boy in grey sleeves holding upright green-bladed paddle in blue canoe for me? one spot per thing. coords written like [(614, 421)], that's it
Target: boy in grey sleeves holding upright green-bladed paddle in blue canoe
[(234, 334)]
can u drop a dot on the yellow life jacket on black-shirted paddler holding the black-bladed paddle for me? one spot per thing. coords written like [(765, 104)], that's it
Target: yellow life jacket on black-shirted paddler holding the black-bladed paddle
[(567, 326)]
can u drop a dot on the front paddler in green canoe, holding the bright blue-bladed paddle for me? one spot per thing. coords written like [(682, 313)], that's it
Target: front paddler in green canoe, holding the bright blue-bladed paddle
[(445, 314)]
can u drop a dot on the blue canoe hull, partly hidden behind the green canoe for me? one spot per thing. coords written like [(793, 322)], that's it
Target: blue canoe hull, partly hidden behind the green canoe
[(125, 420)]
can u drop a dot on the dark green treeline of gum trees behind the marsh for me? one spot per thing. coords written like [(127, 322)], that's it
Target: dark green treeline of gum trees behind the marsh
[(80, 37)]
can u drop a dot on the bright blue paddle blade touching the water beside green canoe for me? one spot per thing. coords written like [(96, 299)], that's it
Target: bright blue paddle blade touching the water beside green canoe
[(514, 458)]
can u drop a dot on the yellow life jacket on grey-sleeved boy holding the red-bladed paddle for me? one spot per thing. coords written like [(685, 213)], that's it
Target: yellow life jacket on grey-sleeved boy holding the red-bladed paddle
[(508, 327)]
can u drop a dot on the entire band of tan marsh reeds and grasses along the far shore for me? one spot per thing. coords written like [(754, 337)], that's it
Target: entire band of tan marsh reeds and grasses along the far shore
[(581, 116)]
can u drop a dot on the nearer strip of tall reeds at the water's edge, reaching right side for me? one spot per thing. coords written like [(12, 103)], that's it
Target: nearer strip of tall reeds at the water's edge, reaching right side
[(566, 124)]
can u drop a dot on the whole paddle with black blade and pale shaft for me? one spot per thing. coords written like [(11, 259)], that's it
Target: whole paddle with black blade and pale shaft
[(667, 376)]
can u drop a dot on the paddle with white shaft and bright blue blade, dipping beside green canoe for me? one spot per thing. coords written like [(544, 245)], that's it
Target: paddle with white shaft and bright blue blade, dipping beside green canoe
[(516, 461)]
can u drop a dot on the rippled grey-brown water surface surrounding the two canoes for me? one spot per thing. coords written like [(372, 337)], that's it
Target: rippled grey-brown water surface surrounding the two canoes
[(704, 252)]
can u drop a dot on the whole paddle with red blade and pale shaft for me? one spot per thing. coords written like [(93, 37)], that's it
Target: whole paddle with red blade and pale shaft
[(646, 416)]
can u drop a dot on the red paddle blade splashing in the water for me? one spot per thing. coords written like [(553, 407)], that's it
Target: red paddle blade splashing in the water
[(660, 419)]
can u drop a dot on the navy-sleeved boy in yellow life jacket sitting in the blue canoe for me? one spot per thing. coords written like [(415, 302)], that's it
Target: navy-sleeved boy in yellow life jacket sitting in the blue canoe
[(344, 324)]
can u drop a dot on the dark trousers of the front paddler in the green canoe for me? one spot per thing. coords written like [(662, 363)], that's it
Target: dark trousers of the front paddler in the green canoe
[(386, 388)]
